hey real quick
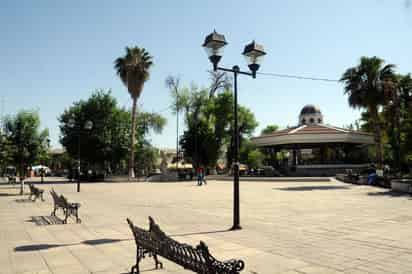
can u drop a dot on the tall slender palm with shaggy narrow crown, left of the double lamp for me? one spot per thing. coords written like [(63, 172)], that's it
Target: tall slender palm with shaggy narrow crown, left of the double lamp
[(133, 70)]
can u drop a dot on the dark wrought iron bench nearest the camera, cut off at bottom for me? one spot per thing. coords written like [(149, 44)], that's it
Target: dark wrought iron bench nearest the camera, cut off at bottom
[(154, 242)]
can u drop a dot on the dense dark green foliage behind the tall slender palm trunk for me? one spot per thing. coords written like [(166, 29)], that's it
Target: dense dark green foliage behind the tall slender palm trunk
[(106, 145)]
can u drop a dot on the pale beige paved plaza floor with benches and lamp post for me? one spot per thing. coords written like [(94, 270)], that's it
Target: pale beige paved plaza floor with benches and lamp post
[(288, 227)]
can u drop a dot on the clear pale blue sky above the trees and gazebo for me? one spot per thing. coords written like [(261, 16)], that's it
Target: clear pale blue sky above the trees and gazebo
[(56, 52)]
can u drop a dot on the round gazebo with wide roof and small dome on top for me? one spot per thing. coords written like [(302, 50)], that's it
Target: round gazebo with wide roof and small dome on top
[(314, 148)]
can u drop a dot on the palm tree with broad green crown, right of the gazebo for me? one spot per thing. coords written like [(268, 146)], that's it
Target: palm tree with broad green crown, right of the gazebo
[(364, 86)]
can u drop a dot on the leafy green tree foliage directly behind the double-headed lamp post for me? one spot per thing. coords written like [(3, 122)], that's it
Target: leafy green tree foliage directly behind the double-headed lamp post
[(209, 121)]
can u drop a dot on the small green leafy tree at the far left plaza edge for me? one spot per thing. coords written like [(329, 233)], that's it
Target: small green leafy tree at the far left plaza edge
[(23, 131)]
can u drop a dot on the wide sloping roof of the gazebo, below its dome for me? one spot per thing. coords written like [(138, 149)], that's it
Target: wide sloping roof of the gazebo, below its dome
[(313, 134)]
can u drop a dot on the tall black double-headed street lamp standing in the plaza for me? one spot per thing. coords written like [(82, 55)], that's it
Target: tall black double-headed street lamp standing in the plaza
[(253, 52)]
